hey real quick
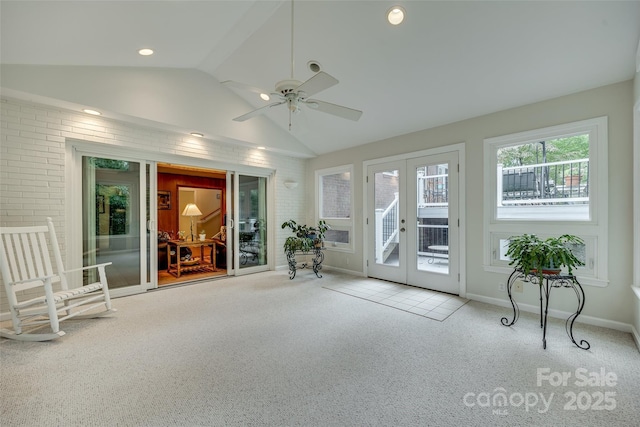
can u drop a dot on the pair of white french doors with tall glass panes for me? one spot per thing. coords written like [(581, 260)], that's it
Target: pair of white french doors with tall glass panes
[(412, 221)]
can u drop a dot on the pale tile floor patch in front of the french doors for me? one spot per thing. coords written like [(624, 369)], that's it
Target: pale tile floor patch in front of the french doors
[(423, 302)]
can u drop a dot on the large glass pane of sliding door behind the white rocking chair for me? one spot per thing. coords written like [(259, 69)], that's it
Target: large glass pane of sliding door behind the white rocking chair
[(111, 218)]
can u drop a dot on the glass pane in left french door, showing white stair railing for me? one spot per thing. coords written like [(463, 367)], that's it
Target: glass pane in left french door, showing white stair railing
[(387, 217)]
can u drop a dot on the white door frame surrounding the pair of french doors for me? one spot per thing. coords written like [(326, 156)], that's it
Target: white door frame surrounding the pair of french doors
[(460, 149)]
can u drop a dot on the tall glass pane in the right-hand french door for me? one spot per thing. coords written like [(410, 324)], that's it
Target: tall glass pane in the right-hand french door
[(432, 238)]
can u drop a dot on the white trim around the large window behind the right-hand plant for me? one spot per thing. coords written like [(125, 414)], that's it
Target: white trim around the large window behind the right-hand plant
[(594, 230)]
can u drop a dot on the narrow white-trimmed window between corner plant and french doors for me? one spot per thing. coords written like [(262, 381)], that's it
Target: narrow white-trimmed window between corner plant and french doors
[(334, 189)]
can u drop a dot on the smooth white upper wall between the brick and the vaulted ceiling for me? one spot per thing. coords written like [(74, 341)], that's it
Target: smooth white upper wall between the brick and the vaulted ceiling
[(176, 99)]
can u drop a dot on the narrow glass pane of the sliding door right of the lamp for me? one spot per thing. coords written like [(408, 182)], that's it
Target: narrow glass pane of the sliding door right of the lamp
[(252, 226)]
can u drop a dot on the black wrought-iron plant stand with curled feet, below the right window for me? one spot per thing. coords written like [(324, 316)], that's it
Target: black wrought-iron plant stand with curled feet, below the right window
[(548, 282)]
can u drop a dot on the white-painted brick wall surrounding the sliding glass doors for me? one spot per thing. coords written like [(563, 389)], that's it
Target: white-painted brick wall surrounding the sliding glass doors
[(32, 163)]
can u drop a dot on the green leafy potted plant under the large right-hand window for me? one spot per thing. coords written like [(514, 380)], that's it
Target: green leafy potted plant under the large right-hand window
[(533, 255)]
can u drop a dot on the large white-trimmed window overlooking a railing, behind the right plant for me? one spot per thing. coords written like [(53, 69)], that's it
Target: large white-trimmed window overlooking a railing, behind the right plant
[(549, 182)]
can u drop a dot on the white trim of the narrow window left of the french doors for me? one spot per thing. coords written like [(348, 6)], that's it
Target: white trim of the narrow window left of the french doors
[(345, 224)]
